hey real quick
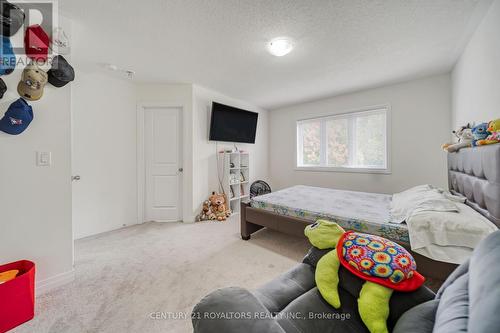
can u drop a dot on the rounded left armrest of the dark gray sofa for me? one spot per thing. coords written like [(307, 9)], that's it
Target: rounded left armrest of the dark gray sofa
[(232, 310)]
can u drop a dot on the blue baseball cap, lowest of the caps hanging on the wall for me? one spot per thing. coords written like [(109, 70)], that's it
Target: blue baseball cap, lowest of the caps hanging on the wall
[(17, 117)]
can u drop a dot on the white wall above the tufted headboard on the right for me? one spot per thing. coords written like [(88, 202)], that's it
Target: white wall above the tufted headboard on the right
[(476, 76)]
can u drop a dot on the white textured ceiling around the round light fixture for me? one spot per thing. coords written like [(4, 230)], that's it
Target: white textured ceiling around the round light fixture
[(341, 45)]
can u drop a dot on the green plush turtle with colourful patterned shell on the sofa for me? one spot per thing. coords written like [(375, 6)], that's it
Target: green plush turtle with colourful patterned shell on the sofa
[(385, 265)]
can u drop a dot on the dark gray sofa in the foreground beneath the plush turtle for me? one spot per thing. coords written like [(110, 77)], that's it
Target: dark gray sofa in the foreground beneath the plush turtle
[(468, 301)]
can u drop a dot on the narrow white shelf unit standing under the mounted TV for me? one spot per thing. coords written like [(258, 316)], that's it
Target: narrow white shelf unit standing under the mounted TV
[(234, 170)]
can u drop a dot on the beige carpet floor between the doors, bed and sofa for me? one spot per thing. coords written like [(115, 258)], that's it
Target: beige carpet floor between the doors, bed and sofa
[(125, 275)]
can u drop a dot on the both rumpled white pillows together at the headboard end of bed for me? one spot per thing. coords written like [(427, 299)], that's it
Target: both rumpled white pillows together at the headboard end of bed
[(440, 225)]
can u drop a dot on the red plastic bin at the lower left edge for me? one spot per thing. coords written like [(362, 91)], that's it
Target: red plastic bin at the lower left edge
[(17, 296)]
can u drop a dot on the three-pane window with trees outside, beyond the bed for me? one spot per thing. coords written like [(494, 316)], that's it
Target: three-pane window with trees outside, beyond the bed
[(348, 142)]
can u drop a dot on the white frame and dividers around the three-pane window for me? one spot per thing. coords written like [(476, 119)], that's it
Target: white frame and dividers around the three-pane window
[(322, 167)]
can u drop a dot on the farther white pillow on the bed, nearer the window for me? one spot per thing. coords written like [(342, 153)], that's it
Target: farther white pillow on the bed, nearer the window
[(423, 197)]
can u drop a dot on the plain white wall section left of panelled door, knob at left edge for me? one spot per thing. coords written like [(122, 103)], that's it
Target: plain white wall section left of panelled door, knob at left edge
[(104, 153)]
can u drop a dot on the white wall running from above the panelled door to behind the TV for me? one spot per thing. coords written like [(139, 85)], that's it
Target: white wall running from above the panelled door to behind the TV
[(200, 177)]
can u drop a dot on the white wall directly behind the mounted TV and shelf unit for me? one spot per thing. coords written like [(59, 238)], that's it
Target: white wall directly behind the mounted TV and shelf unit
[(205, 163)]
